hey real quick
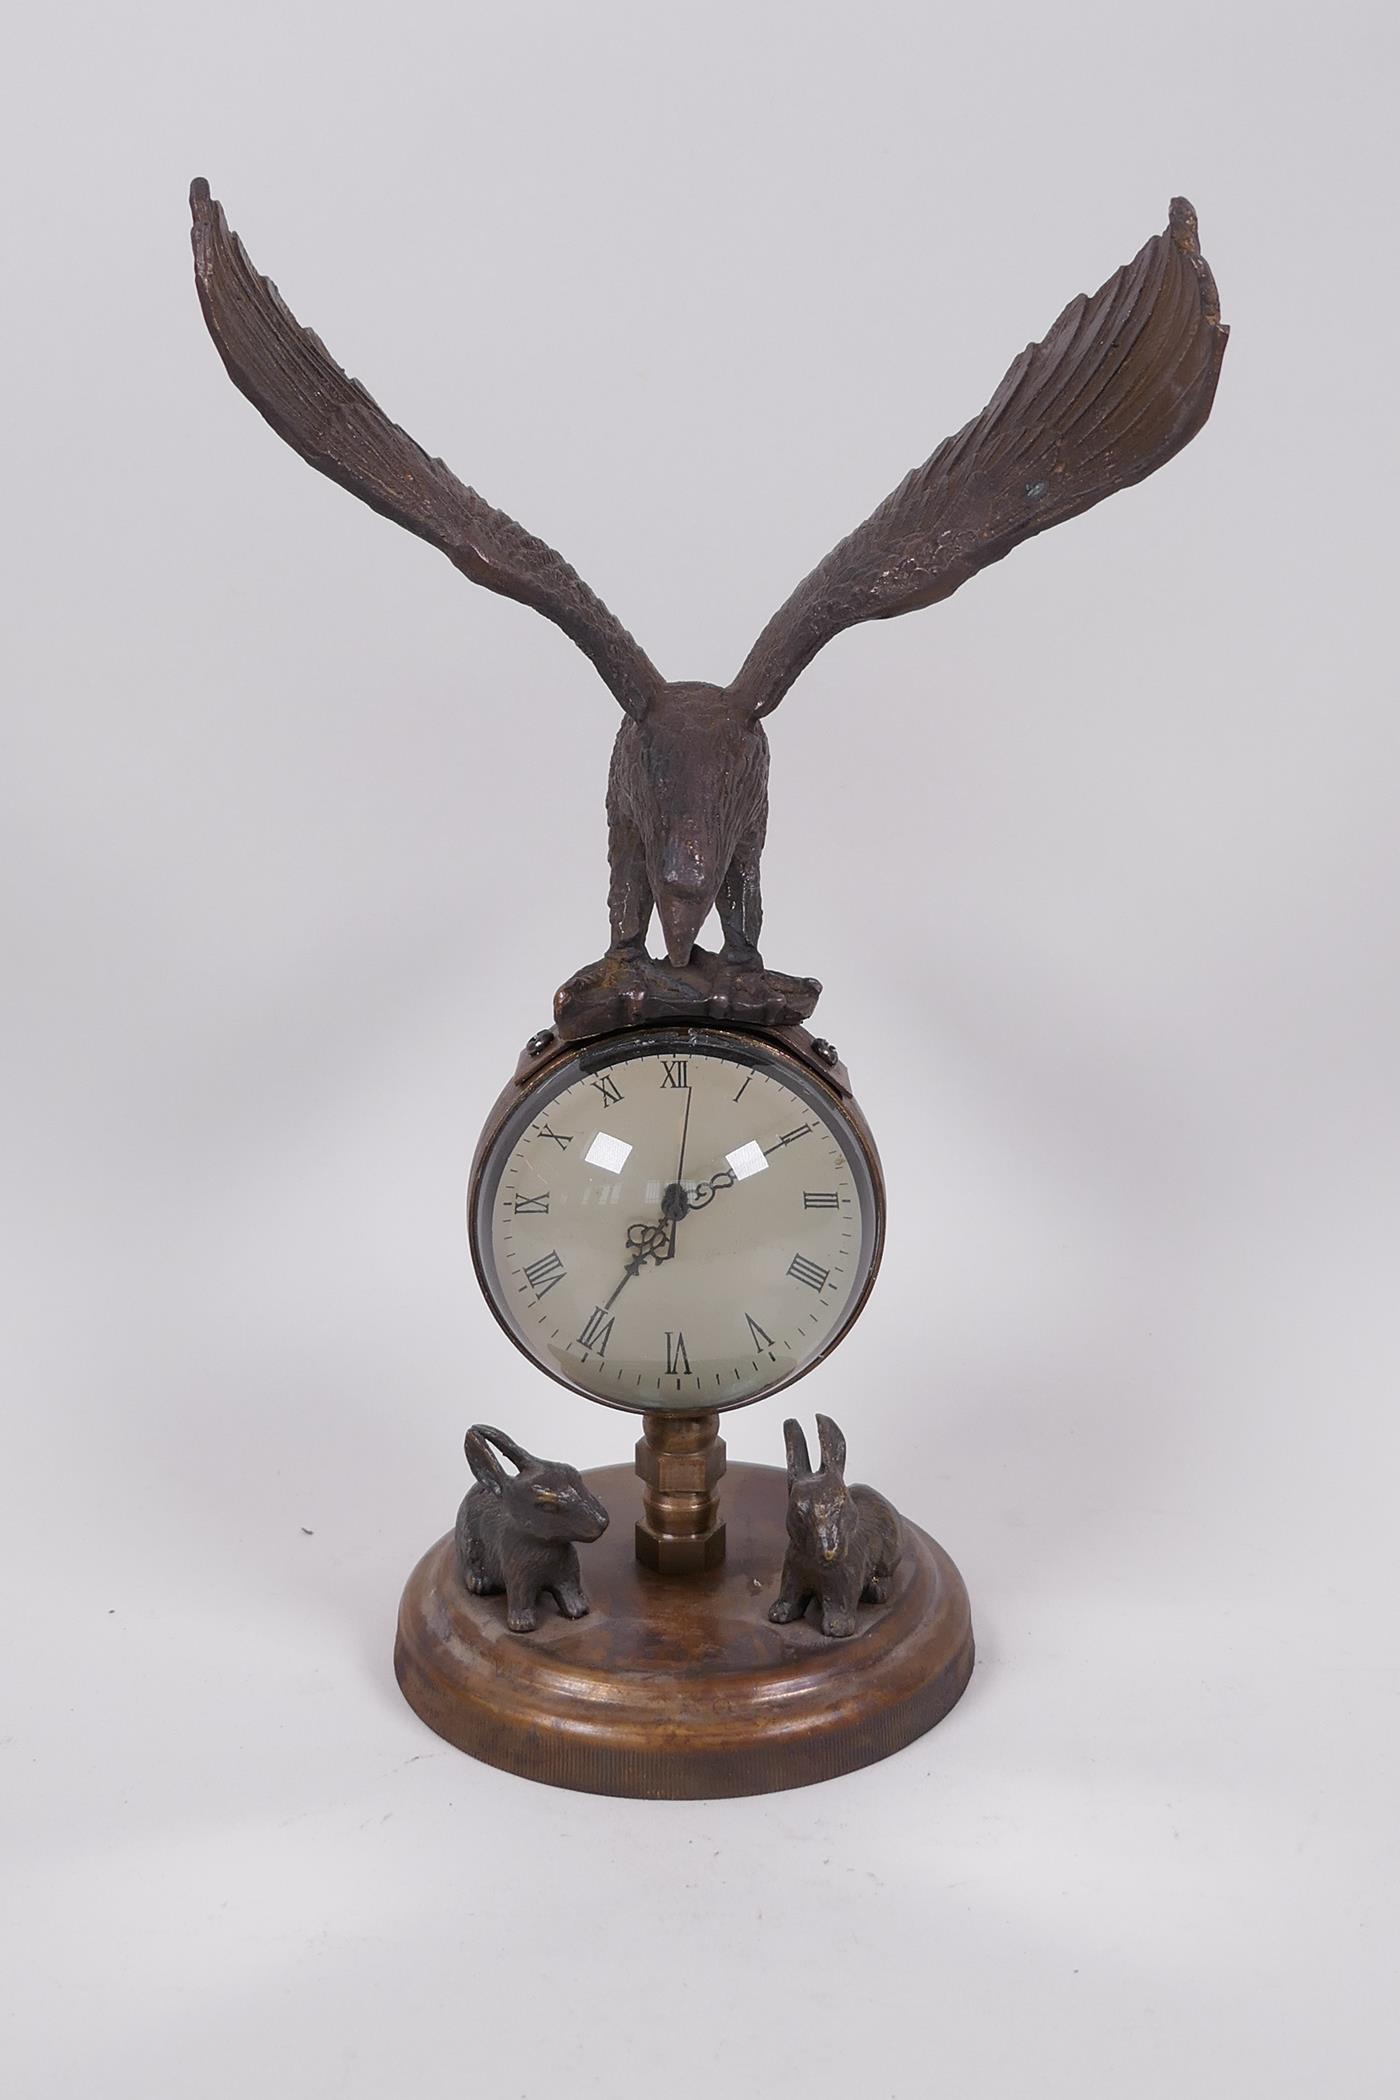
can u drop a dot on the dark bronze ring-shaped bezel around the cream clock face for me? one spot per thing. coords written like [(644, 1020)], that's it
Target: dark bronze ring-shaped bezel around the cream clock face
[(790, 1051)]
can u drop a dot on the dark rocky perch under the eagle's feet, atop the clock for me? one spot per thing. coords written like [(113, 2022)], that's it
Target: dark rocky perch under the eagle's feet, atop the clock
[(627, 992)]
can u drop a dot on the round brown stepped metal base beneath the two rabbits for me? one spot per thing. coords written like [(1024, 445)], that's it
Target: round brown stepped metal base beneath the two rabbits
[(679, 1687)]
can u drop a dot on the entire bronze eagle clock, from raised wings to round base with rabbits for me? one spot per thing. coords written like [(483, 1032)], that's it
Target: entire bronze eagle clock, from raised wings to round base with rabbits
[(677, 1206)]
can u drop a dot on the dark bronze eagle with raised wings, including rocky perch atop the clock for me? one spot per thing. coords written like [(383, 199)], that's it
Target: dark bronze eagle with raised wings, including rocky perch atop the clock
[(1111, 394)]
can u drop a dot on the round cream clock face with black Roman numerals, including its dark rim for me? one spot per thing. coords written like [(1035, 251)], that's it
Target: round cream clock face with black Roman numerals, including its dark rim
[(677, 1221)]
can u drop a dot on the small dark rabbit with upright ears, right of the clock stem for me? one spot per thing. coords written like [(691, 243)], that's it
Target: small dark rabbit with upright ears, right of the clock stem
[(843, 1542)]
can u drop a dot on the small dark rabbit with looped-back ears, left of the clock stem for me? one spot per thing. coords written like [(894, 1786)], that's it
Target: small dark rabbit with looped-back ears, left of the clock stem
[(517, 1532)]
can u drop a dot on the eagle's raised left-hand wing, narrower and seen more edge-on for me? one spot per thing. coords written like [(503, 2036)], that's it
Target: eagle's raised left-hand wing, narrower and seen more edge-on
[(328, 417)]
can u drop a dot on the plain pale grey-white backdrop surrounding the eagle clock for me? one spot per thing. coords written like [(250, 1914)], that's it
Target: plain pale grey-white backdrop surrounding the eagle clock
[(1099, 866)]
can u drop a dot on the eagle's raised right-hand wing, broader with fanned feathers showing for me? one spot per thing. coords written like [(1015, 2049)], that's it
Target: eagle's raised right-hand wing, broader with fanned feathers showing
[(1113, 392)]
